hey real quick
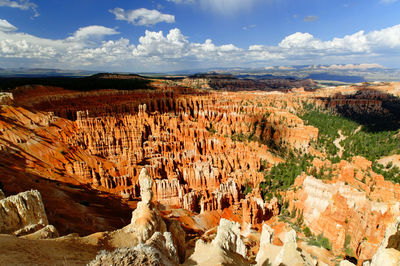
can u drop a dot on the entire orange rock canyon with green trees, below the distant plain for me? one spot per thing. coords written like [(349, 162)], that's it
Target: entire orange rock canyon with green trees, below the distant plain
[(179, 171)]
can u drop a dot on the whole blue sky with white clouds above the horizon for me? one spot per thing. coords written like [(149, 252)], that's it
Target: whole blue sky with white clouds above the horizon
[(169, 35)]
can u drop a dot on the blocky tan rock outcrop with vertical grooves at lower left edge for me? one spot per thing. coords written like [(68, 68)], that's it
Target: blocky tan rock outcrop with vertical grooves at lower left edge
[(22, 214)]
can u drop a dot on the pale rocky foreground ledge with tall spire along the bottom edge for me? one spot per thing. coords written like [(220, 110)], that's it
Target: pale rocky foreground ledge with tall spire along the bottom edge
[(152, 240)]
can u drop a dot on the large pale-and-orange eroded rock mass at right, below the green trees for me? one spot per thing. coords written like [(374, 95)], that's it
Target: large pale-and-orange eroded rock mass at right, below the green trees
[(348, 208)]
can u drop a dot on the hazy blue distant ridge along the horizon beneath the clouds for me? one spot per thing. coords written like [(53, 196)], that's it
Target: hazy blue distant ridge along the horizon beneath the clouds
[(348, 73)]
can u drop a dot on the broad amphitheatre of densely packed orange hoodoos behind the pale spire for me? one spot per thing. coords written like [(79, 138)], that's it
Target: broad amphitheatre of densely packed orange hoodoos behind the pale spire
[(188, 141)]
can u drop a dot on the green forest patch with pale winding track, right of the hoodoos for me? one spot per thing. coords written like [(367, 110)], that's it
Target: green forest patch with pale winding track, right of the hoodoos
[(359, 140)]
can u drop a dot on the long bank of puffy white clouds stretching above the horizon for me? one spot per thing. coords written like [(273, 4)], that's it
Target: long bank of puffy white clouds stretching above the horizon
[(88, 47)]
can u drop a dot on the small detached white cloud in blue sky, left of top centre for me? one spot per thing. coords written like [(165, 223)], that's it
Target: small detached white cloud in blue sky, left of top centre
[(142, 16)]
